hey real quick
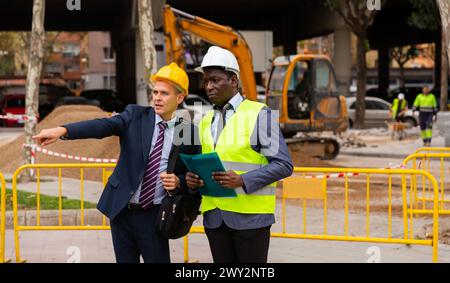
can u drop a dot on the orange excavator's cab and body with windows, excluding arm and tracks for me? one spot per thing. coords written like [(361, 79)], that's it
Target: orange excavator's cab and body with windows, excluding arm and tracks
[(303, 88)]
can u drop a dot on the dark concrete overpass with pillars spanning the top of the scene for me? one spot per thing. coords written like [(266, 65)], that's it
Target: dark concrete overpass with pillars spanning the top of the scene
[(290, 21)]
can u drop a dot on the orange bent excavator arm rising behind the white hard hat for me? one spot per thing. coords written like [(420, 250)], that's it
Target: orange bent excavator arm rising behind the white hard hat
[(176, 22)]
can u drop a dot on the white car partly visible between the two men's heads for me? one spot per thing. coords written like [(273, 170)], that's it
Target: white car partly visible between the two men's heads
[(193, 108)]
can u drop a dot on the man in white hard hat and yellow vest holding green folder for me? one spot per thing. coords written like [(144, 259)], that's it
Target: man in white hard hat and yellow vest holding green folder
[(248, 140)]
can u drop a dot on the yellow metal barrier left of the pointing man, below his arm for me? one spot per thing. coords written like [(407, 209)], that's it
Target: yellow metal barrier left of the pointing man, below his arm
[(37, 167)]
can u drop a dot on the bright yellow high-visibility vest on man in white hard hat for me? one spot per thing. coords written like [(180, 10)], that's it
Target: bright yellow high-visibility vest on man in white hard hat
[(234, 149)]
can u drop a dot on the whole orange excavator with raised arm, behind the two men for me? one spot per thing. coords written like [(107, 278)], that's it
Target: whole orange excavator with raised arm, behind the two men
[(301, 87)]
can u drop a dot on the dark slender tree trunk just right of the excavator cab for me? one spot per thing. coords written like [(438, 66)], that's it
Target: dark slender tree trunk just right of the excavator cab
[(361, 84)]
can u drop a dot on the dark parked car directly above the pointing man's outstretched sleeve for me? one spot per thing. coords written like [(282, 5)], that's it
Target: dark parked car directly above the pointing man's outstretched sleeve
[(106, 99)]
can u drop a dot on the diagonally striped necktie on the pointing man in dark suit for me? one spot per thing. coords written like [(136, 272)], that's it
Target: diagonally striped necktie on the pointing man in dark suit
[(151, 173)]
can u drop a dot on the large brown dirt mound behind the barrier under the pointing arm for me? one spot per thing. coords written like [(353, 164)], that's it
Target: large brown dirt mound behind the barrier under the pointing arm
[(11, 153)]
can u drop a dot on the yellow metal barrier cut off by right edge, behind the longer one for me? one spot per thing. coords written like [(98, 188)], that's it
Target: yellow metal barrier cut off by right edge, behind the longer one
[(437, 164)]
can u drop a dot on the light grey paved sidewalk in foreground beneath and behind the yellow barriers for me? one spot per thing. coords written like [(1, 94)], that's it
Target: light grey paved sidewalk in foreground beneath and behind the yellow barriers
[(96, 246)]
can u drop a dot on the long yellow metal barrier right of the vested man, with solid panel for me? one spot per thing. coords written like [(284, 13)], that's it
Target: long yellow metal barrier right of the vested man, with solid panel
[(386, 195)]
